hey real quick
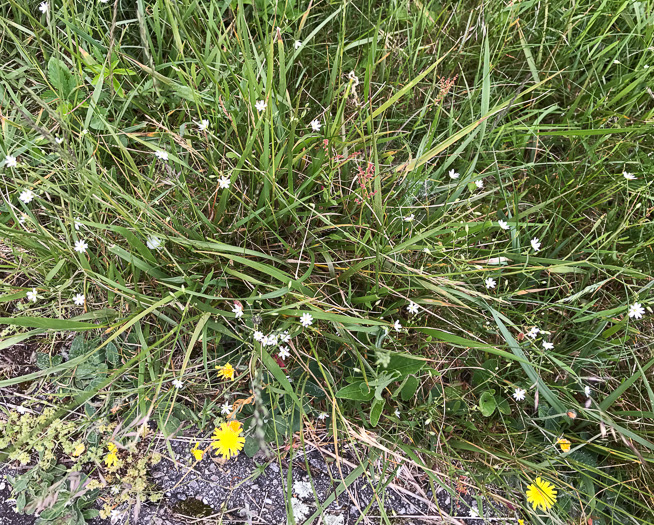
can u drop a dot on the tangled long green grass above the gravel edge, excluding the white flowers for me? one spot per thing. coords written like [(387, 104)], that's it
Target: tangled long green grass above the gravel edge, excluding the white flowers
[(544, 103)]
